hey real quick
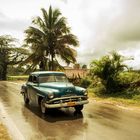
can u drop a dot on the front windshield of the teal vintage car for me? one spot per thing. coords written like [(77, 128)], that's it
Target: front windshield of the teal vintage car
[(52, 78)]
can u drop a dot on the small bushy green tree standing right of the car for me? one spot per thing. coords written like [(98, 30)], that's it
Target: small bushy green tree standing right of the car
[(107, 69)]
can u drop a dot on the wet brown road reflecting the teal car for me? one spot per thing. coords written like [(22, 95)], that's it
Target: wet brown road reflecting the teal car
[(96, 122)]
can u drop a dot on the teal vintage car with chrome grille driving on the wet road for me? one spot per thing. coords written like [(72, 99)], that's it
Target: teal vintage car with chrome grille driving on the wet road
[(53, 90)]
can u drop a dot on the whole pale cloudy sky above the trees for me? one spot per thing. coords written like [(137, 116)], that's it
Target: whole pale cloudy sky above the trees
[(100, 25)]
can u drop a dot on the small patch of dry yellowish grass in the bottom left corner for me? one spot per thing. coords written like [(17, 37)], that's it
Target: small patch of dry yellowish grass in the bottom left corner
[(3, 133)]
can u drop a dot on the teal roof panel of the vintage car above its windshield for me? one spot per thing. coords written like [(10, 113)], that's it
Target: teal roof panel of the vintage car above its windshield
[(46, 72)]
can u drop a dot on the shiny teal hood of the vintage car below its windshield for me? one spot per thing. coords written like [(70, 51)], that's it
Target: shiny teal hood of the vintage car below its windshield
[(59, 88)]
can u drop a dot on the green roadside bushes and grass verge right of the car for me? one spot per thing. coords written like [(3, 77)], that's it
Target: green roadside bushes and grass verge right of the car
[(110, 79)]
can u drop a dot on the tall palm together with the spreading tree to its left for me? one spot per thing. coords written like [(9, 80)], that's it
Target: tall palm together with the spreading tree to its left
[(47, 42)]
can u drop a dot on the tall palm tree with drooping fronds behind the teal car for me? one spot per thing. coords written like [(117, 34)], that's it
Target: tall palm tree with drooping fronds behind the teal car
[(50, 40)]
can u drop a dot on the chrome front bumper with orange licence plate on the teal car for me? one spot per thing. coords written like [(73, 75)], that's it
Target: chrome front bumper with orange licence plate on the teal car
[(67, 104)]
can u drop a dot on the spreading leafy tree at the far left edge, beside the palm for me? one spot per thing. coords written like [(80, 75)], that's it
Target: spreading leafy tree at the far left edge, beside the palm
[(9, 54)]
